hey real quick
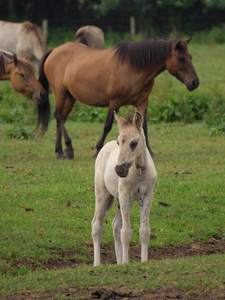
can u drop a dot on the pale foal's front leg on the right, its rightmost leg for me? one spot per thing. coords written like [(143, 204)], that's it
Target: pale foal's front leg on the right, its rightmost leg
[(145, 202)]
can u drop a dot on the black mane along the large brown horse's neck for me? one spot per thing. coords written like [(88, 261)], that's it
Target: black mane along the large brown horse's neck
[(143, 54)]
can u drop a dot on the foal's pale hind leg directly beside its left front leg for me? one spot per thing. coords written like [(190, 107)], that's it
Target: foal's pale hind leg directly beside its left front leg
[(117, 225)]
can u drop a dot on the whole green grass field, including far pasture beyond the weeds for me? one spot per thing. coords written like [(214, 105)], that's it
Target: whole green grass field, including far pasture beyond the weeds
[(37, 226)]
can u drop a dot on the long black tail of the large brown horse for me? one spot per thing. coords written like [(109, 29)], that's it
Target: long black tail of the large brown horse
[(43, 108)]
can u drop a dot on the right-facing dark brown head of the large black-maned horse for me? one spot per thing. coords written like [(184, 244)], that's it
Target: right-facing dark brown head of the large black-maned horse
[(179, 65)]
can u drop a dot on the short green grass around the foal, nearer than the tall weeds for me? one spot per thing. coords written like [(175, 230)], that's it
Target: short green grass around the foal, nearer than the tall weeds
[(36, 224)]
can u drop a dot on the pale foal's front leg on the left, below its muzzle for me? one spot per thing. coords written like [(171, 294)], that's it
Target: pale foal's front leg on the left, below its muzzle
[(126, 231)]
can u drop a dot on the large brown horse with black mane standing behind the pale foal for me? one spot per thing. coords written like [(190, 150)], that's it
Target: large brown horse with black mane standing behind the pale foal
[(121, 75)]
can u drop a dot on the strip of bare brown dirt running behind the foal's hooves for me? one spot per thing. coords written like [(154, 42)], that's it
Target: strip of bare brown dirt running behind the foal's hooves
[(67, 260)]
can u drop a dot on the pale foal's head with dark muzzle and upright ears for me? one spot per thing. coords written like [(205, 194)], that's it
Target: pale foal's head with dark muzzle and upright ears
[(131, 142)]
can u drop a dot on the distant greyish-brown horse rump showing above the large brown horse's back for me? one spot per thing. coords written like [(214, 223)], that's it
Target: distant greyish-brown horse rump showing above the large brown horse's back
[(90, 36)]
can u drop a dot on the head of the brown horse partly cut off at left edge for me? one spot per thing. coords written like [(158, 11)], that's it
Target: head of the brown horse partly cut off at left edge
[(23, 80)]
